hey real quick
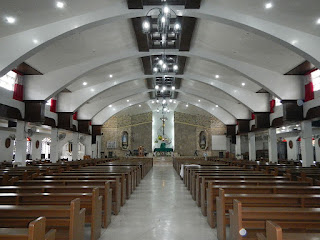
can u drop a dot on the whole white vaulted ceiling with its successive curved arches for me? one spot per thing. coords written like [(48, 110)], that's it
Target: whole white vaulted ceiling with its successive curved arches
[(227, 52)]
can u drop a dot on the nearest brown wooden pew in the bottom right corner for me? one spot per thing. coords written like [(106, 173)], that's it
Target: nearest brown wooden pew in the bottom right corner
[(274, 232)]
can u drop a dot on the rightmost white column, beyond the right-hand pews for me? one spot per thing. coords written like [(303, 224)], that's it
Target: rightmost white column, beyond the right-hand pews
[(306, 143)]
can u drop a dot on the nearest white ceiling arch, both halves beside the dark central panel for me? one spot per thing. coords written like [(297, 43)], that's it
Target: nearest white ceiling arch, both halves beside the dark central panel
[(298, 41)]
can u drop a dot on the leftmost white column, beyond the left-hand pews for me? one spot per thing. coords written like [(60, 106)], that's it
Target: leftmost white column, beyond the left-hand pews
[(21, 144)]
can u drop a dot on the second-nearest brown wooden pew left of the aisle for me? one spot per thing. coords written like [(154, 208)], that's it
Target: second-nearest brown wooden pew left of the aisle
[(67, 220)]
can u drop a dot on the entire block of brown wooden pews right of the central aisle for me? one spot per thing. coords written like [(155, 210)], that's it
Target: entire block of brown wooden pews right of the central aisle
[(250, 200)]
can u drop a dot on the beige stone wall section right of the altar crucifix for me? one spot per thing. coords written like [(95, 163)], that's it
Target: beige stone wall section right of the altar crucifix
[(187, 131)]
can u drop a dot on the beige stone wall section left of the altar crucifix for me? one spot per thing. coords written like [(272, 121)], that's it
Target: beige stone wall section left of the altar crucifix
[(139, 128)]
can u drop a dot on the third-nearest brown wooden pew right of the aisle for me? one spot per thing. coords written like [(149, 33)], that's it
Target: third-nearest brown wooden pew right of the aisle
[(225, 203)]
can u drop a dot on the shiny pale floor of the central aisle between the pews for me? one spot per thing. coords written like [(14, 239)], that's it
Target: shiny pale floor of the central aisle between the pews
[(161, 208)]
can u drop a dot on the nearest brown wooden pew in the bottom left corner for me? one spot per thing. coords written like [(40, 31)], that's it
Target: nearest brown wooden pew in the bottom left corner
[(35, 231)]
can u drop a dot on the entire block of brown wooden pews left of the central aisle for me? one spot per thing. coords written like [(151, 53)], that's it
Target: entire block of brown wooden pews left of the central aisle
[(57, 200)]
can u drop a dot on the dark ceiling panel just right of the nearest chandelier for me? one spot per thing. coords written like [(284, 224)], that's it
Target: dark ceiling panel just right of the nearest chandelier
[(188, 25)]
